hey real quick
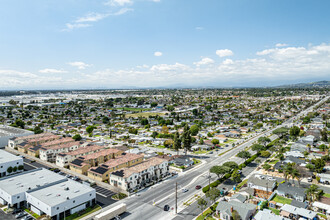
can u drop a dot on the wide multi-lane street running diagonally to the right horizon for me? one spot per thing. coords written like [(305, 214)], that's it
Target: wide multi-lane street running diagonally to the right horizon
[(149, 203)]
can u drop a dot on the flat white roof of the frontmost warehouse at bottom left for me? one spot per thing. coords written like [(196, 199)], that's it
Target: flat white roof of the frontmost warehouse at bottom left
[(58, 193)]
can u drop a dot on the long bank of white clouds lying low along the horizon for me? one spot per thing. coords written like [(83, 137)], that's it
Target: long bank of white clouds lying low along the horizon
[(269, 66)]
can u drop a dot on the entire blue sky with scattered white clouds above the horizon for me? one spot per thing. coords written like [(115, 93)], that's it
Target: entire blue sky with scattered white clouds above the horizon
[(150, 43)]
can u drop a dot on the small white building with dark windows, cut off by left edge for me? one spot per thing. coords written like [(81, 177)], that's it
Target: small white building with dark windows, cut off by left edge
[(9, 160)]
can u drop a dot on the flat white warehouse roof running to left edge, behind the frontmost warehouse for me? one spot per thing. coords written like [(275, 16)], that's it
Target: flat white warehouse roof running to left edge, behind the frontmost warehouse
[(28, 180)]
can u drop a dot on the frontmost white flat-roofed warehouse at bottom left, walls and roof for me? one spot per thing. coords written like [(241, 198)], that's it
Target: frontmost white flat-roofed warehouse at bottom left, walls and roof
[(61, 199)]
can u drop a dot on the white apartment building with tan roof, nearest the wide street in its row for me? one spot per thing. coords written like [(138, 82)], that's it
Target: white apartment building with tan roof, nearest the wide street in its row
[(138, 176)]
